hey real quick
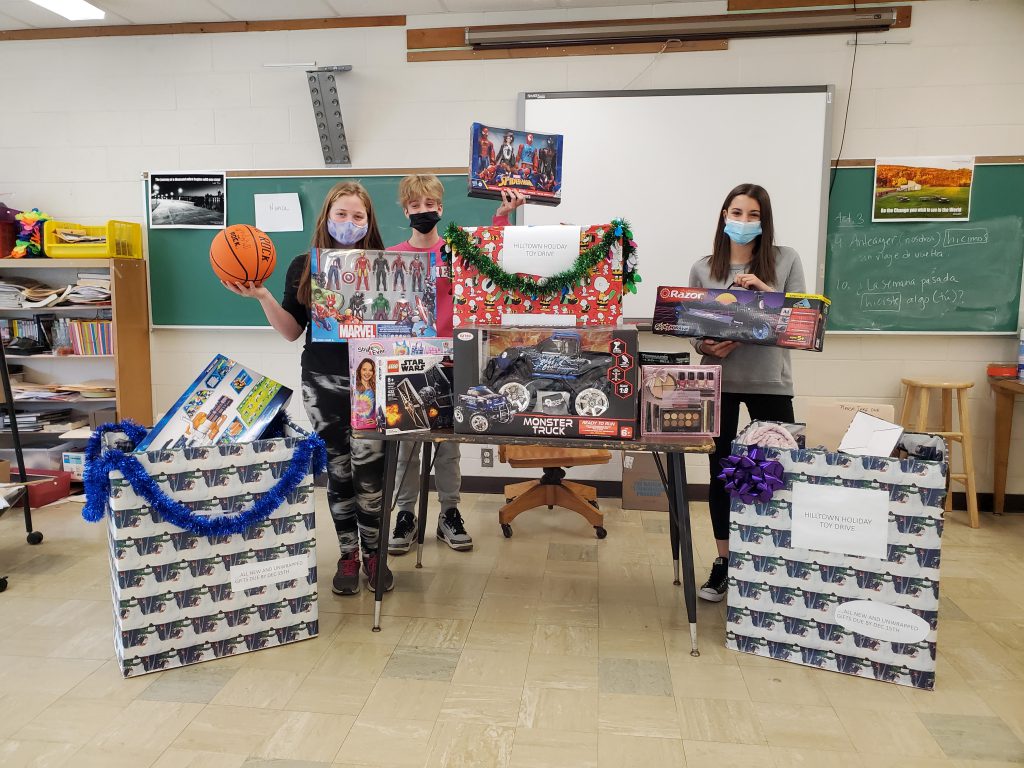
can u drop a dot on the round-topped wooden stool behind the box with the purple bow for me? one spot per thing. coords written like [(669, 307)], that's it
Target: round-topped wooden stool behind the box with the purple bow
[(916, 420)]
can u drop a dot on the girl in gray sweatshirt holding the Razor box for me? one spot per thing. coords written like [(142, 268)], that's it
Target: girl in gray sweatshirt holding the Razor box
[(759, 377)]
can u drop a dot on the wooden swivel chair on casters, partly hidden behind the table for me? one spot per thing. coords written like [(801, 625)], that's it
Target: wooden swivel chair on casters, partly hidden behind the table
[(551, 490)]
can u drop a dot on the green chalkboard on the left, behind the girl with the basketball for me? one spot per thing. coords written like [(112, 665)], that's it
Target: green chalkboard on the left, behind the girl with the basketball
[(184, 289)]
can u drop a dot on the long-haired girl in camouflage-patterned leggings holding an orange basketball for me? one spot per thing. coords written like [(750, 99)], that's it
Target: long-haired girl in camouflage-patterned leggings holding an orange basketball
[(356, 468)]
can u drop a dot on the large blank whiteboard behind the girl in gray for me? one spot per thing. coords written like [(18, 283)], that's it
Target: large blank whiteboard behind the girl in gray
[(665, 160)]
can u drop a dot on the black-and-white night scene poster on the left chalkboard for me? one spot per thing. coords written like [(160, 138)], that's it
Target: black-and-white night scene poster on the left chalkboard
[(188, 200)]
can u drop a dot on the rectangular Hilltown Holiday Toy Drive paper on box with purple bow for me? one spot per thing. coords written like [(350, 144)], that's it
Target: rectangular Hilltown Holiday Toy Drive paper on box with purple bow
[(837, 519)]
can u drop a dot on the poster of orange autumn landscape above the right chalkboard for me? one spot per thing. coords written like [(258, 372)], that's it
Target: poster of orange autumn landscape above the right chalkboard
[(934, 189)]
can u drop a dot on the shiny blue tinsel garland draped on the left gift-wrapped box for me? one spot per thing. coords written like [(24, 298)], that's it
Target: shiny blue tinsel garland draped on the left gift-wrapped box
[(101, 463)]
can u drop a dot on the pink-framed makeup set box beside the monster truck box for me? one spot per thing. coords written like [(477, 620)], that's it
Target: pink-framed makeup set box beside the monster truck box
[(680, 400)]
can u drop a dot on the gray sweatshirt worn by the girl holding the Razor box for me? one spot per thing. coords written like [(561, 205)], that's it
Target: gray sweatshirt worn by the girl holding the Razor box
[(751, 368)]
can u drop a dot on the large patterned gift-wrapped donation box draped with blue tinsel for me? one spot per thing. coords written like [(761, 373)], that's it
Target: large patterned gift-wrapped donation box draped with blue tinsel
[(181, 598)]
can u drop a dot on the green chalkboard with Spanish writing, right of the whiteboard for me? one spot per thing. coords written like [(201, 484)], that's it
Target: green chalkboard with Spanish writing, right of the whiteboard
[(927, 277)]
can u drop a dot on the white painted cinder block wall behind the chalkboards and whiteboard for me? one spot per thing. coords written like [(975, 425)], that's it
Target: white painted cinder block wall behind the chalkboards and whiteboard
[(109, 109)]
